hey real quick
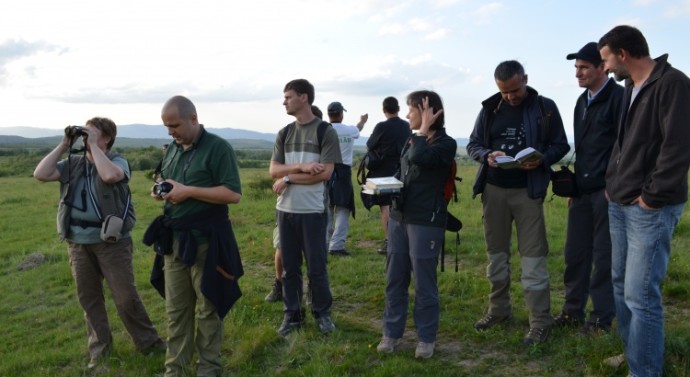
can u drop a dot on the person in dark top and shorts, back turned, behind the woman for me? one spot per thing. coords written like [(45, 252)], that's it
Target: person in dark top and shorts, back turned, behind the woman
[(388, 138)]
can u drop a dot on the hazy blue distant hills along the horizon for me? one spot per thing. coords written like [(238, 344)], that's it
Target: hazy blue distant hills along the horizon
[(144, 135)]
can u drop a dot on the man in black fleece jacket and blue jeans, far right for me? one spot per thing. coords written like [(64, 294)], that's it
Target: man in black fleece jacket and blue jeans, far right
[(647, 187)]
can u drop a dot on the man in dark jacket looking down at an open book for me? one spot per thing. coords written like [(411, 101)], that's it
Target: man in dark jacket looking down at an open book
[(510, 121)]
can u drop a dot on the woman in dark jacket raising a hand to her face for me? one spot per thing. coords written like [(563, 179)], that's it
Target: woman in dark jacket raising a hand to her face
[(417, 224)]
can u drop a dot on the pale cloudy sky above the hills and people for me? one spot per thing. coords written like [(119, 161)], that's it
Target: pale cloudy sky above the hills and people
[(63, 62)]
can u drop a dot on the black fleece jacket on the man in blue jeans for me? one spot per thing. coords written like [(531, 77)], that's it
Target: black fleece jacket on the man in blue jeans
[(652, 153)]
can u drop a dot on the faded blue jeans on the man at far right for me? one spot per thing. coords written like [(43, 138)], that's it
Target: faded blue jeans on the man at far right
[(641, 246)]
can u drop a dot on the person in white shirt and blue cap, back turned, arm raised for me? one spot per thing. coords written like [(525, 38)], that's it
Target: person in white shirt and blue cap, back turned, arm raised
[(341, 198)]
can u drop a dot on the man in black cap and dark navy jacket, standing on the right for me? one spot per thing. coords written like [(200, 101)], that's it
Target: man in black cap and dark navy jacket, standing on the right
[(588, 242)]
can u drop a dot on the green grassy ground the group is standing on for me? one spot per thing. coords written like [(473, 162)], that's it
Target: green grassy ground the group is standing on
[(44, 334)]
